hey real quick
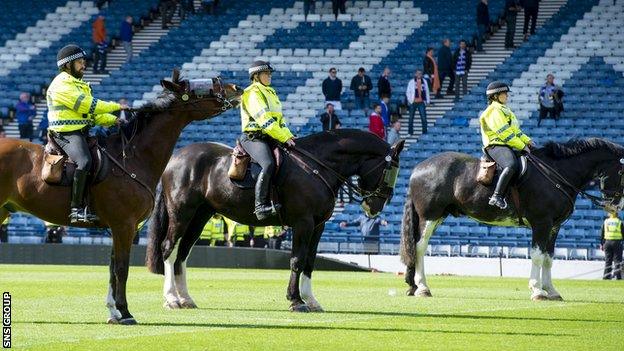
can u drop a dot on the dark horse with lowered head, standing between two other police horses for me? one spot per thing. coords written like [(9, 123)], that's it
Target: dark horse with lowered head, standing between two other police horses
[(195, 186)]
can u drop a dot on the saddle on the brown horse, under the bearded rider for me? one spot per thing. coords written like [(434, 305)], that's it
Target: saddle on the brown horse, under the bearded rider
[(58, 168)]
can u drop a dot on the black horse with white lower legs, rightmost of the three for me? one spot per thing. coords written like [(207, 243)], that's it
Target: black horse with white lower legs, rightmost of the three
[(446, 184)]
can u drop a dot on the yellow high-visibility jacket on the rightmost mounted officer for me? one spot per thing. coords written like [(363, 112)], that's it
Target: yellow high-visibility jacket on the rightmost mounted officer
[(499, 126)]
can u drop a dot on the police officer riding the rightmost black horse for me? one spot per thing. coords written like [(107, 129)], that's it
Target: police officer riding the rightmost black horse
[(502, 138)]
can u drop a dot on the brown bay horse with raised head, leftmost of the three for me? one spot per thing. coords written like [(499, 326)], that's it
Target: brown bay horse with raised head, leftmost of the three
[(125, 197)]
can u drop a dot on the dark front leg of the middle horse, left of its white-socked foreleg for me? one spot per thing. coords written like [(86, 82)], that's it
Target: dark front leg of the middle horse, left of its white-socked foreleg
[(302, 233)]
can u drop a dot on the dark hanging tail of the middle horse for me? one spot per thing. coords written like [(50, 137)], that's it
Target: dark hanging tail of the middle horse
[(157, 233)]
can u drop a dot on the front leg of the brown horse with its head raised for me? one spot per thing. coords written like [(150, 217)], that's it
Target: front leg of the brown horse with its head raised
[(123, 234)]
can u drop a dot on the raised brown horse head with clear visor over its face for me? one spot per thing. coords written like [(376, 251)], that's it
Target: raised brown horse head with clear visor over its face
[(201, 98)]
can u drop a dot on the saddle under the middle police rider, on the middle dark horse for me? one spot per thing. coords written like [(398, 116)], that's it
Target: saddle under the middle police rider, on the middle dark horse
[(243, 170)]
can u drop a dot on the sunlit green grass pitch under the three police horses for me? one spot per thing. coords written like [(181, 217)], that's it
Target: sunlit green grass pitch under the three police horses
[(62, 308)]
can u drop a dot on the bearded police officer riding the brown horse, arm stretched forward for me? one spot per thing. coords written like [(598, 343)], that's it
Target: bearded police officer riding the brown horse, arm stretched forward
[(72, 110)]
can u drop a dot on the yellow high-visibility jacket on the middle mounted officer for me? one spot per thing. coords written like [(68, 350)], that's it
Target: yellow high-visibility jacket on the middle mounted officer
[(261, 110)]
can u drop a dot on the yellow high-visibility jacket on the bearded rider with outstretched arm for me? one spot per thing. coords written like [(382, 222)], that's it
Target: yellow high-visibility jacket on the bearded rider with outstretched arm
[(71, 106)]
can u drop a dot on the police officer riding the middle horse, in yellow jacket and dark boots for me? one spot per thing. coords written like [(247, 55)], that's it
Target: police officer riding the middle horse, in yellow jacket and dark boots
[(263, 125)]
